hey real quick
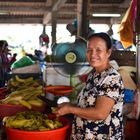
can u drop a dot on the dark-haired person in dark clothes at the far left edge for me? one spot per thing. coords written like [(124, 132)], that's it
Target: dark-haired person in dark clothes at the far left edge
[(4, 62)]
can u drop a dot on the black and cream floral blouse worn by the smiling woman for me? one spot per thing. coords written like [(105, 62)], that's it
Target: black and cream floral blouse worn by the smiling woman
[(108, 83)]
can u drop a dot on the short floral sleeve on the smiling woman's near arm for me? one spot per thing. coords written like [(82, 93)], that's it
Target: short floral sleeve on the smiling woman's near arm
[(111, 86)]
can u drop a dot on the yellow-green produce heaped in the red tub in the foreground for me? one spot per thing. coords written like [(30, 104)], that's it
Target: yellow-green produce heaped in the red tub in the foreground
[(31, 121)]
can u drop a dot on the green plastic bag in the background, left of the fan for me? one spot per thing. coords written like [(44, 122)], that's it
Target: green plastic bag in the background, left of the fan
[(24, 61)]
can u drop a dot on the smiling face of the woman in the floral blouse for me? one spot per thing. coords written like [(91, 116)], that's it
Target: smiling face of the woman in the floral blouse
[(97, 52)]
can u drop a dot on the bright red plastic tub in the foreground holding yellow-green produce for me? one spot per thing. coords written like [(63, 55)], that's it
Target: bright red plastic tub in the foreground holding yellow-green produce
[(57, 134)]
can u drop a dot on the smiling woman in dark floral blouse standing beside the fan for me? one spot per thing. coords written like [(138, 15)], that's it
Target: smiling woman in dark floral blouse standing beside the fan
[(98, 113)]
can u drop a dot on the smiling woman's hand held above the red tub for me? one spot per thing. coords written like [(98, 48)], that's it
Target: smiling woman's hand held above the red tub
[(63, 109)]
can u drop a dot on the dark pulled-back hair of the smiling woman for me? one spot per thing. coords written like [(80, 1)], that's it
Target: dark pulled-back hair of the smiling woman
[(103, 36)]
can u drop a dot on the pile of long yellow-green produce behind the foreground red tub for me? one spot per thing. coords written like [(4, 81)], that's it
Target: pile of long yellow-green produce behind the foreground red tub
[(24, 92)]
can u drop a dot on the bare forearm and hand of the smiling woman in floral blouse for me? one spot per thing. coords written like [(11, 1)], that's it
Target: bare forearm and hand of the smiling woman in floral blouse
[(101, 110)]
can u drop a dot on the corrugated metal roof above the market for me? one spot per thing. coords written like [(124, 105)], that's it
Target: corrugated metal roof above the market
[(35, 11)]
